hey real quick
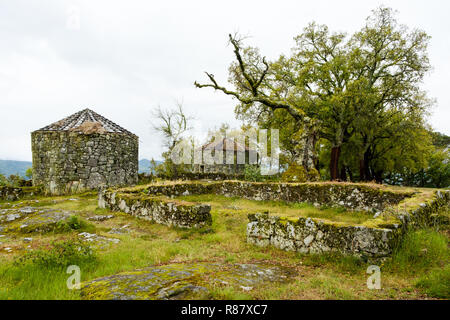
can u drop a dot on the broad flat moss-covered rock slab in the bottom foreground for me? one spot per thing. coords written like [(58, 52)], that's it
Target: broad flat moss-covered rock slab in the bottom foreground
[(182, 281)]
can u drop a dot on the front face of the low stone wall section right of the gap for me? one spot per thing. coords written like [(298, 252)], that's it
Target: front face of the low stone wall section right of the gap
[(307, 235)]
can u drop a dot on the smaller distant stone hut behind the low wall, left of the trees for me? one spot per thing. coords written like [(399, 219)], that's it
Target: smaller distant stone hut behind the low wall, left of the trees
[(238, 157)]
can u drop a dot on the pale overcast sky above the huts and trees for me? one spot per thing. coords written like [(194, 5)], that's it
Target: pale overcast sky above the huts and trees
[(124, 58)]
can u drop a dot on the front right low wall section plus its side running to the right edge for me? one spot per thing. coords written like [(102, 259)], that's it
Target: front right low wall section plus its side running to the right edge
[(308, 235)]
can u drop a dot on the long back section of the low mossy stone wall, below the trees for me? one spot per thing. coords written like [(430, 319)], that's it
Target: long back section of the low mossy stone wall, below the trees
[(351, 196)]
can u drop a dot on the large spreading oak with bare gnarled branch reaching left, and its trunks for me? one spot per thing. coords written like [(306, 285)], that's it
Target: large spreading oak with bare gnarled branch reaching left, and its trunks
[(335, 87)]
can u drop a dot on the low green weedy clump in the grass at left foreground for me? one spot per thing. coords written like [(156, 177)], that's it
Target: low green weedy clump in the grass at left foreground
[(60, 255)]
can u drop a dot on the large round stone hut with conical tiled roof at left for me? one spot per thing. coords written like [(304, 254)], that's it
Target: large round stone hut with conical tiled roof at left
[(83, 151)]
